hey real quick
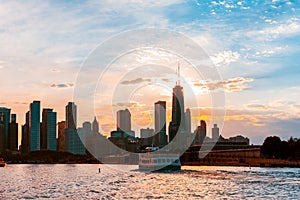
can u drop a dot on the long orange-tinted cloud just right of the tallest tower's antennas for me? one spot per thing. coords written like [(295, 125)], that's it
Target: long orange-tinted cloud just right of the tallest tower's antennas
[(230, 85)]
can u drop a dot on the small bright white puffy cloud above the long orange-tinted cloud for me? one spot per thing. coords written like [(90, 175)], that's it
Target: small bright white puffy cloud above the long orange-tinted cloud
[(225, 58)]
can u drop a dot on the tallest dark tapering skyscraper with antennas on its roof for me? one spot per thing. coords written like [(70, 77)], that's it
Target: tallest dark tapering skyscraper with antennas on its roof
[(178, 117)]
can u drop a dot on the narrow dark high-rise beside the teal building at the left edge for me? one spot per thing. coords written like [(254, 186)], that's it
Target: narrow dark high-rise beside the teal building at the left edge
[(13, 133)]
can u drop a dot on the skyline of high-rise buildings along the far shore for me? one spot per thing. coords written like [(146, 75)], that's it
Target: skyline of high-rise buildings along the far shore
[(40, 134)]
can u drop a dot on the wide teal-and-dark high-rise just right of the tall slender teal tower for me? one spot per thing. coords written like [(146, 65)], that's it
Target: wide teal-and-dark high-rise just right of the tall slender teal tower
[(48, 130)]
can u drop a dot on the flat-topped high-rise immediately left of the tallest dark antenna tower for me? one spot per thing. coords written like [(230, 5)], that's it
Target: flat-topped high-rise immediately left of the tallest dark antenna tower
[(160, 124)]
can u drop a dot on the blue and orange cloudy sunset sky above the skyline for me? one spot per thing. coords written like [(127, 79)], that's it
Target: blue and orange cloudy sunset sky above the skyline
[(254, 45)]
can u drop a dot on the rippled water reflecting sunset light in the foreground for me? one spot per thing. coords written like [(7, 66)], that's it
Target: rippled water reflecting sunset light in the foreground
[(84, 182)]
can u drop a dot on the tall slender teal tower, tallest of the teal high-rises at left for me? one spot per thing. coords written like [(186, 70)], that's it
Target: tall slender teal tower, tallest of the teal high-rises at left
[(34, 125)]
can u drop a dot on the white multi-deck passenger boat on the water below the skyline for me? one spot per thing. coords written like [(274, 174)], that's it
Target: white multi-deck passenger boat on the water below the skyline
[(154, 161)]
